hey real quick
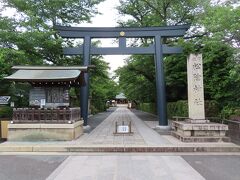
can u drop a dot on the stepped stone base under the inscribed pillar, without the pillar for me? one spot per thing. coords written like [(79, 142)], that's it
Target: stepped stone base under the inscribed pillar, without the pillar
[(199, 132)]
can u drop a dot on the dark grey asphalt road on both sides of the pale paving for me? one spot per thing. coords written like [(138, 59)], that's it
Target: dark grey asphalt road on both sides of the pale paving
[(39, 167)]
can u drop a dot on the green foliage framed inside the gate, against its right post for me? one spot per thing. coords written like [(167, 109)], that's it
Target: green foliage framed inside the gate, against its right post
[(137, 78)]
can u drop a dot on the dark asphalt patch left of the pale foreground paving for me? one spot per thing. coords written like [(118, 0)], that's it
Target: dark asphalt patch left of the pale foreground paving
[(28, 167)]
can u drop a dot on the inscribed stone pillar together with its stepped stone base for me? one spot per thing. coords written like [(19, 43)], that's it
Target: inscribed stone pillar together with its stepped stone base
[(197, 128)]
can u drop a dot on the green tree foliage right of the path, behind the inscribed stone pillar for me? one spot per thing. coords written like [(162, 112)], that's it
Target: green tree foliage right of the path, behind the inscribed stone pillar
[(214, 32)]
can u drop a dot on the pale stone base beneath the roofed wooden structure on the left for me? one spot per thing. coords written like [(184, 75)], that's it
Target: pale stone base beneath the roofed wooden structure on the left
[(45, 132)]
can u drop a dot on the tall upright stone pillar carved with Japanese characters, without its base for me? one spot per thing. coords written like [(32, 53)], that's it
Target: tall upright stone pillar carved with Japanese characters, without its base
[(195, 87)]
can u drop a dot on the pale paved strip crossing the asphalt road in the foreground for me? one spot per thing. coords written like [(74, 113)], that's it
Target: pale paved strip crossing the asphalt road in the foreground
[(125, 167)]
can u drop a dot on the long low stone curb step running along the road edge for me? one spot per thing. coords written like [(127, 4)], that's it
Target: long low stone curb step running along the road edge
[(118, 149)]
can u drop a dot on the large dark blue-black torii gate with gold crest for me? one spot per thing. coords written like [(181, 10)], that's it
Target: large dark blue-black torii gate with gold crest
[(157, 48)]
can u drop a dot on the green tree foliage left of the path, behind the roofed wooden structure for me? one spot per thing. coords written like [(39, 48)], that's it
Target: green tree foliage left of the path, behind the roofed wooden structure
[(29, 38)]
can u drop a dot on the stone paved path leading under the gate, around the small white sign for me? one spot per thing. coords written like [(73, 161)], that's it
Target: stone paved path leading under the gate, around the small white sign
[(103, 133)]
